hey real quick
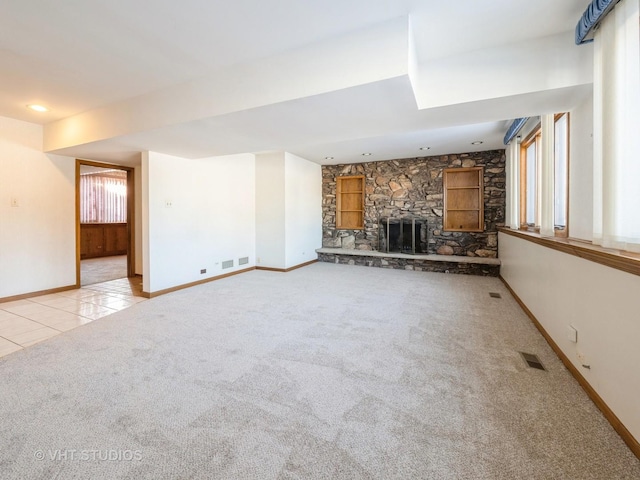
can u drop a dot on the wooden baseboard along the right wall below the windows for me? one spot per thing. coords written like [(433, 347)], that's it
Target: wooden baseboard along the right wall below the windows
[(615, 422)]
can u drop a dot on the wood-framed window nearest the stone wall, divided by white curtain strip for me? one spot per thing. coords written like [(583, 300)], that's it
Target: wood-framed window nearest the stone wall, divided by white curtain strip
[(531, 177)]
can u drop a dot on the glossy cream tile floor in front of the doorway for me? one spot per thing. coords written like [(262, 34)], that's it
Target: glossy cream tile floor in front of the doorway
[(29, 321)]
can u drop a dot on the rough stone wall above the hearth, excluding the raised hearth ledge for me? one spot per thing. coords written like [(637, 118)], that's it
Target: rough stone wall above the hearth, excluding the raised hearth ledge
[(413, 187)]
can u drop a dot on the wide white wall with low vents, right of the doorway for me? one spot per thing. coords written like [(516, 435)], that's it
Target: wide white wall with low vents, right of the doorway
[(196, 214)]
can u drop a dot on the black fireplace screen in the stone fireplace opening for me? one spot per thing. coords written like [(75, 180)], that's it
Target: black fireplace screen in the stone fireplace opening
[(402, 235)]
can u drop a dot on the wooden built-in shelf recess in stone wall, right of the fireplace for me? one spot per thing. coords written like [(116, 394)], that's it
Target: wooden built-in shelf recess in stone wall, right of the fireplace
[(463, 199)]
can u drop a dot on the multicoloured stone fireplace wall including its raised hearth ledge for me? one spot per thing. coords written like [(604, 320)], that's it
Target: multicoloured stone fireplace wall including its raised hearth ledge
[(413, 188)]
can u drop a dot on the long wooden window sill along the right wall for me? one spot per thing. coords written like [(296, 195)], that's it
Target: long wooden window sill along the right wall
[(626, 261)]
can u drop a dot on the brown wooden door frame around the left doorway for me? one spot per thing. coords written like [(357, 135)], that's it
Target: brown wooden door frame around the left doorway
[(130, 214)]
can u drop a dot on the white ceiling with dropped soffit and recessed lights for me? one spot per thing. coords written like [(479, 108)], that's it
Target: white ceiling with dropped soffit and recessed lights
[(89, 59)]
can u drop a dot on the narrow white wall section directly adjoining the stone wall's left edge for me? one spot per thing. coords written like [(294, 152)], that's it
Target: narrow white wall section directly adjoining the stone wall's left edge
[(303, 210)]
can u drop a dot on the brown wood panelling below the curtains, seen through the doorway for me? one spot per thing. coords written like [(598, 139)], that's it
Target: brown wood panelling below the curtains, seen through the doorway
[(103, 239)]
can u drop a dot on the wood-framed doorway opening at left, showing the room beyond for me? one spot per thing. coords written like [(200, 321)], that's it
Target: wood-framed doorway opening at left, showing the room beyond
[(104, 222)]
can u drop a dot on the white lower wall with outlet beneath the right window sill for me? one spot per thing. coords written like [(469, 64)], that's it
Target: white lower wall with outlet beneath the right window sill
[(602, 303)]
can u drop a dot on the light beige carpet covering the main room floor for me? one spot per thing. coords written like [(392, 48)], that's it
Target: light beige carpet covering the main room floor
[(326, 372)]
